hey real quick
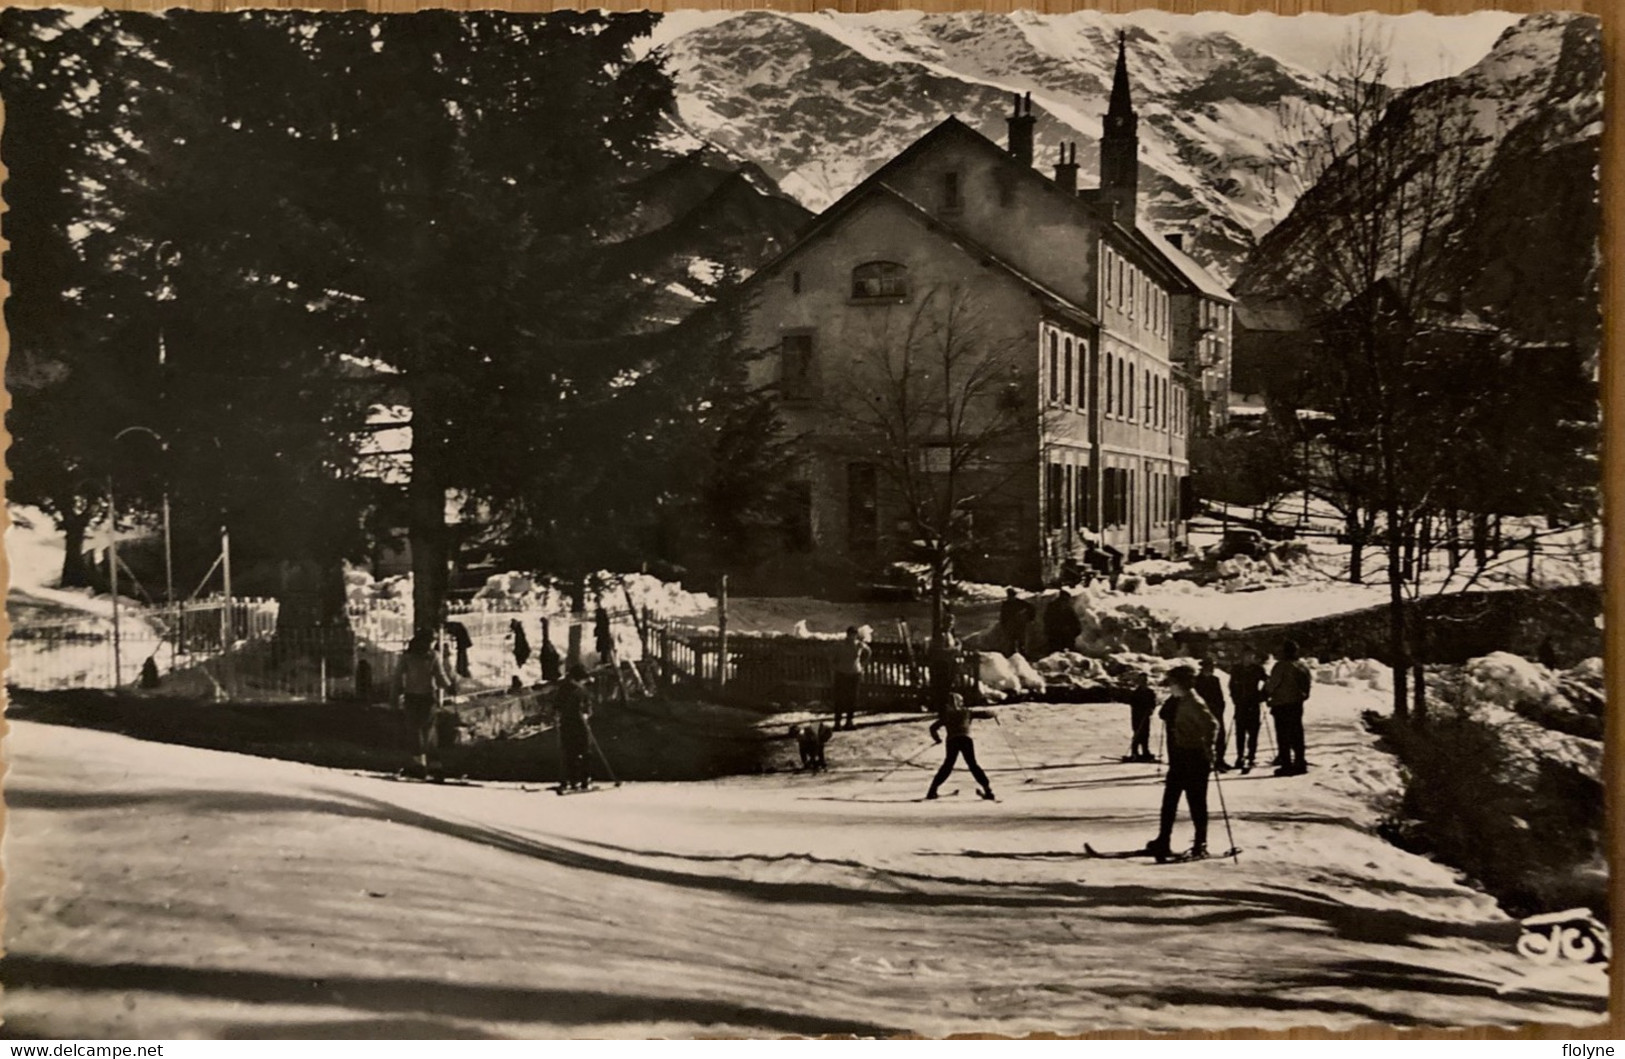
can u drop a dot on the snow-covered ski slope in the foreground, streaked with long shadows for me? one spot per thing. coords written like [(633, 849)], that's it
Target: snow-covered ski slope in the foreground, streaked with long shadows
[(160, 891)]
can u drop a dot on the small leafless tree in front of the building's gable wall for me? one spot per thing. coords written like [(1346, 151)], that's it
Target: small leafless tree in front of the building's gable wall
[(942, 402)]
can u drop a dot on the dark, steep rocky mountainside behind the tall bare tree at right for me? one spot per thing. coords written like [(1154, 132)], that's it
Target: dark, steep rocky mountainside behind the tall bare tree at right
[(1525, 240)]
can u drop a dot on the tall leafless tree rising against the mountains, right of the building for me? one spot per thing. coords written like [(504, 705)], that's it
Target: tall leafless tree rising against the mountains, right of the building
[(1372, 251)]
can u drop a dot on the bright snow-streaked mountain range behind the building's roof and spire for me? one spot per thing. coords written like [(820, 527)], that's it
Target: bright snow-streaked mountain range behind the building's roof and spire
[(820, 102)]
